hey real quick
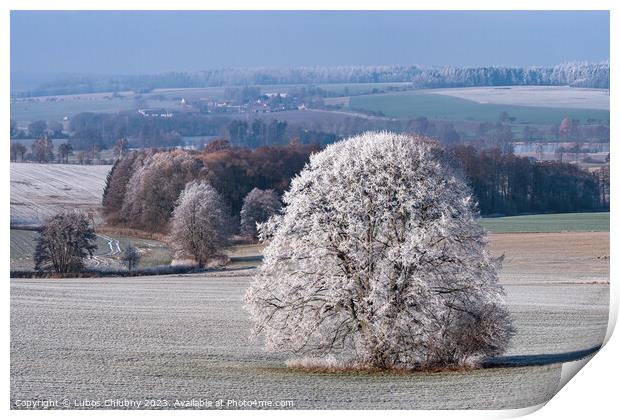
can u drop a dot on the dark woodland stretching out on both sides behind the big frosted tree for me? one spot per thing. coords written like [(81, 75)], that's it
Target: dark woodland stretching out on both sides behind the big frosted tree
[(142, 188)]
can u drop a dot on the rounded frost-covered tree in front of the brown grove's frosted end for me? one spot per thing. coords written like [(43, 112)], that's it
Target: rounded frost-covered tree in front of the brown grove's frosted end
[(200, 223)]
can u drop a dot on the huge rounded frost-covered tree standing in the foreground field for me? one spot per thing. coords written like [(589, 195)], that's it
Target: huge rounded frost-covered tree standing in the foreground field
[(379, 260)]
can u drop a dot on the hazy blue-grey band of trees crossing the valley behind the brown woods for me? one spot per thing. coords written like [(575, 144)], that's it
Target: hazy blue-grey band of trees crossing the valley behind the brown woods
[(93, 132)]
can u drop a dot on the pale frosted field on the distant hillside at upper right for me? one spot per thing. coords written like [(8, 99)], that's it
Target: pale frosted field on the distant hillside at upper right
[(542, 96)]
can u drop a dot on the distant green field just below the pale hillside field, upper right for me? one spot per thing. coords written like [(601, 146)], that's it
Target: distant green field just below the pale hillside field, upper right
[(413, 104)]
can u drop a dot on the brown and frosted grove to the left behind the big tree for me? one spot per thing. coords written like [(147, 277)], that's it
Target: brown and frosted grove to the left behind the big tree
[(142, 187)]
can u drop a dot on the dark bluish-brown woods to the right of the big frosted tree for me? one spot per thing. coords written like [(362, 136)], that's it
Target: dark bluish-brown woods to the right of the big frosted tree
[(505, 184)]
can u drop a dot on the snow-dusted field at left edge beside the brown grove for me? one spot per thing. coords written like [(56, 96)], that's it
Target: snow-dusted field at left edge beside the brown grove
[(41, 190)]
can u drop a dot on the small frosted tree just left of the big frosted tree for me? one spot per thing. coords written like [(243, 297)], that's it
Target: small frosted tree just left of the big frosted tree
[(258, 207)]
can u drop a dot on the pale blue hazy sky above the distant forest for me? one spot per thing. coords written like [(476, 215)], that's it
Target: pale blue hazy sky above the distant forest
[(152, 42)]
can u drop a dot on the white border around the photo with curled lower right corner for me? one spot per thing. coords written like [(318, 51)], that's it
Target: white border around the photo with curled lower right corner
[(591, 393)]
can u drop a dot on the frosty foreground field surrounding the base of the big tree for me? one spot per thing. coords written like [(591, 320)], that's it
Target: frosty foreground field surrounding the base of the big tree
[(183, 337)]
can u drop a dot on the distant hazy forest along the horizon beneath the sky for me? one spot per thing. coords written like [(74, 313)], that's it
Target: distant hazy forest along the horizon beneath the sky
[(572, 74)]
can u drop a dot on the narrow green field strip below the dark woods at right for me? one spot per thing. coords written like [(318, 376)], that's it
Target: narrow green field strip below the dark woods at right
[(568, 222)]
